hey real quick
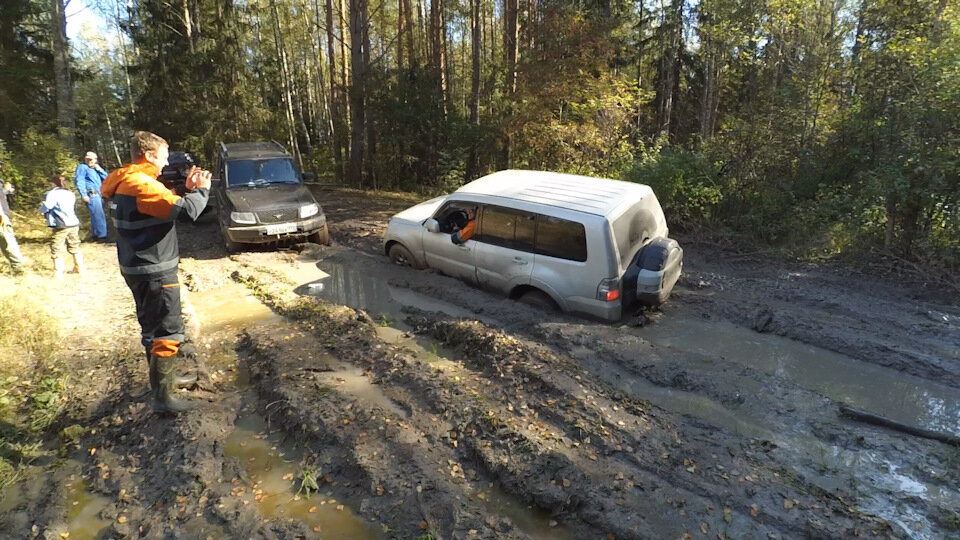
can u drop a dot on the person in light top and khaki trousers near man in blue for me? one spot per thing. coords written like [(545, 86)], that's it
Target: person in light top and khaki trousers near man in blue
[(59, 208)]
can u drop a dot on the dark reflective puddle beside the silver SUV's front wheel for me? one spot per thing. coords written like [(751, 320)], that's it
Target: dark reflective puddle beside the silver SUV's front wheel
[(373, 294)]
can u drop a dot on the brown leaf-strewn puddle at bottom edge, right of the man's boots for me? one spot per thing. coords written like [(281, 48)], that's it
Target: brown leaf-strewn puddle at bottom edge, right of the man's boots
[(273, 467)]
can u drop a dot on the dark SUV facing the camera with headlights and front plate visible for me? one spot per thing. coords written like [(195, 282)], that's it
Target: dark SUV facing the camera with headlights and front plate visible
[(262, 198)]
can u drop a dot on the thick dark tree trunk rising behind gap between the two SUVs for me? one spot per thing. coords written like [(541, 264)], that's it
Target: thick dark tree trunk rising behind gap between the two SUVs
[(358, 16)]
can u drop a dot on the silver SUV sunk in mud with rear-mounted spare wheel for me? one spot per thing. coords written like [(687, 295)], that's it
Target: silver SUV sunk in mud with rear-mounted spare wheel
[(586, 245)]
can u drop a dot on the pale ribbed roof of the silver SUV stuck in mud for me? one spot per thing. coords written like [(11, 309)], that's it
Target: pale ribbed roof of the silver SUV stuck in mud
[(600, 196)]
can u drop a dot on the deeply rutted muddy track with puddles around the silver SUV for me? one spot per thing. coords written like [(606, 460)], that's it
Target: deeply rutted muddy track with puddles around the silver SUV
[(344, 397)]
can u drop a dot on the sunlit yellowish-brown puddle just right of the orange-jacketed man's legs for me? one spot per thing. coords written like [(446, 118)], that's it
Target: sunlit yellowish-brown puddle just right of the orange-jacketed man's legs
[(230, 308)]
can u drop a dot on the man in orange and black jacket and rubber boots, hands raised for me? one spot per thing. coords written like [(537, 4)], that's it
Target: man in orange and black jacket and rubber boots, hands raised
[(145, 214)]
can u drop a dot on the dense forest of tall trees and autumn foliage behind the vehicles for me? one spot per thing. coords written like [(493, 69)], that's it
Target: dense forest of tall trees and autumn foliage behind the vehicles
[(828, 129)]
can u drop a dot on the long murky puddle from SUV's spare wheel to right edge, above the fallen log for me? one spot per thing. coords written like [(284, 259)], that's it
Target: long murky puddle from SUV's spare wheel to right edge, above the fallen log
[(880, 390)]
